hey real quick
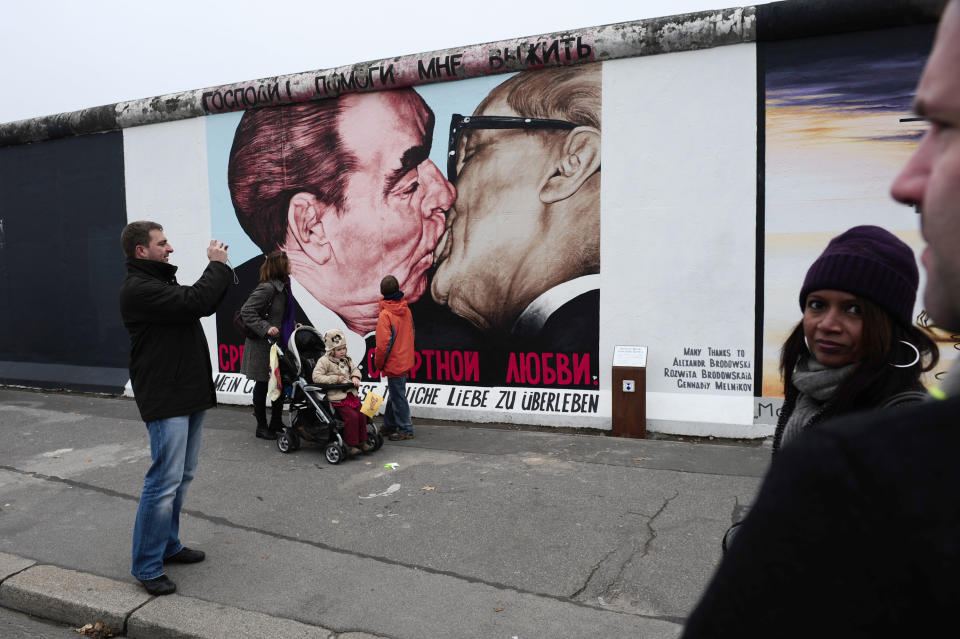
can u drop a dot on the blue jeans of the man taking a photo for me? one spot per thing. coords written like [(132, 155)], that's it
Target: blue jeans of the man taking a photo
[(174, 448)]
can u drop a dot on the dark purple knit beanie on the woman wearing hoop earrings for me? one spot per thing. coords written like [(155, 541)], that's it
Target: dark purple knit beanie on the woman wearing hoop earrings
[(869, 262)]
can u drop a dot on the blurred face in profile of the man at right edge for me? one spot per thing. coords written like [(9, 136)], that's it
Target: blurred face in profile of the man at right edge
[(931, 179)]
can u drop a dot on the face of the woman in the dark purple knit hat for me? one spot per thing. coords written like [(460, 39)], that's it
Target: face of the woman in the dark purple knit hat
[(833, 326)]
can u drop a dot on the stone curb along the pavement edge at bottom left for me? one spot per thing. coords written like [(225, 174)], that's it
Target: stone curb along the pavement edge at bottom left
[(77, 598)]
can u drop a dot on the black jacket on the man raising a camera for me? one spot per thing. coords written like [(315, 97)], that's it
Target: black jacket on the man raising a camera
[(169, 360)]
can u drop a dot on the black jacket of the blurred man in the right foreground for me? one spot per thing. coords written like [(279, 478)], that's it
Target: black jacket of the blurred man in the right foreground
[(855, 533)]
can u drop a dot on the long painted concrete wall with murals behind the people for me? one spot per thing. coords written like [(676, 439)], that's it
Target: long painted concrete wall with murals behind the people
[(719, 171)]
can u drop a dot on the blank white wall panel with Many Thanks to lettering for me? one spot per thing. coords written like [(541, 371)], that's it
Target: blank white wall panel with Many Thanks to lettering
[(677, 270)]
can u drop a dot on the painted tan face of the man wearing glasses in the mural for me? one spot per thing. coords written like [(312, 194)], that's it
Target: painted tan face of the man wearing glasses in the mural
[(498, 220)]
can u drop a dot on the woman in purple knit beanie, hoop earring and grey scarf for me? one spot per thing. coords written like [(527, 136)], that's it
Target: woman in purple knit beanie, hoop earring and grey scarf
[(856, 347)]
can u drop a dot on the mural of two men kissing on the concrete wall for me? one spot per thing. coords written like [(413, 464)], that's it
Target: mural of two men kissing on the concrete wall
[(499, 258)]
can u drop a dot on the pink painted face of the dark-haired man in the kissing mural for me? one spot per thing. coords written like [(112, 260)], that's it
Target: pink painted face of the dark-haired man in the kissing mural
[(395, 199)]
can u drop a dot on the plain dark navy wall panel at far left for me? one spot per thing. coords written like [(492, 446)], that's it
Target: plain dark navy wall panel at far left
[(62, 208)]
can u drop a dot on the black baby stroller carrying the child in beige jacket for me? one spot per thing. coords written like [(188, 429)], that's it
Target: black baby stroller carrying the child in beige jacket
[(312, 418)]
